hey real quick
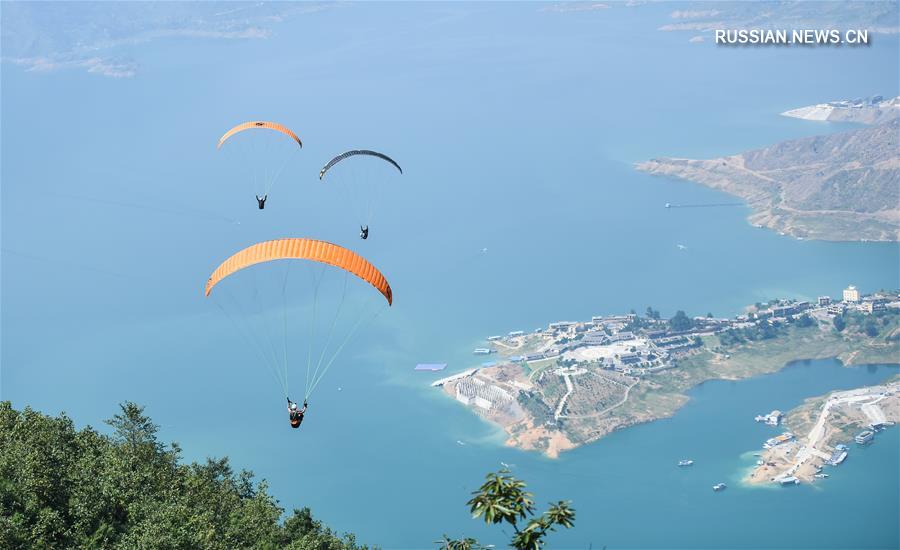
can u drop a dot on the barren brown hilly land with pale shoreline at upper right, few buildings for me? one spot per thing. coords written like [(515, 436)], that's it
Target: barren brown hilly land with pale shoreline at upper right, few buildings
[(836, 187)]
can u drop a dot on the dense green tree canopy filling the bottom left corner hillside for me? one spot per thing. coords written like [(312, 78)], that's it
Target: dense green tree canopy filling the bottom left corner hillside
[(67, 488)]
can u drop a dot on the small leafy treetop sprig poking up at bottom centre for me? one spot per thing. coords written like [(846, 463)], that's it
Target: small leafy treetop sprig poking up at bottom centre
[(503, 499)]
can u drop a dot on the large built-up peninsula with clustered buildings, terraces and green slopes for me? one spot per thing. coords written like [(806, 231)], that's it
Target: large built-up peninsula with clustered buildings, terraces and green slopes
[(571, 383)]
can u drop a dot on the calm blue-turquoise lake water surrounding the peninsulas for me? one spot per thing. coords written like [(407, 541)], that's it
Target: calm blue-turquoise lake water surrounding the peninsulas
[(517, 129)]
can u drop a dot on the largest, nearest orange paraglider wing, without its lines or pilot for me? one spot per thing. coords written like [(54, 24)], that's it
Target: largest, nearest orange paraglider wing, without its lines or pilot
[(303, 249)]
